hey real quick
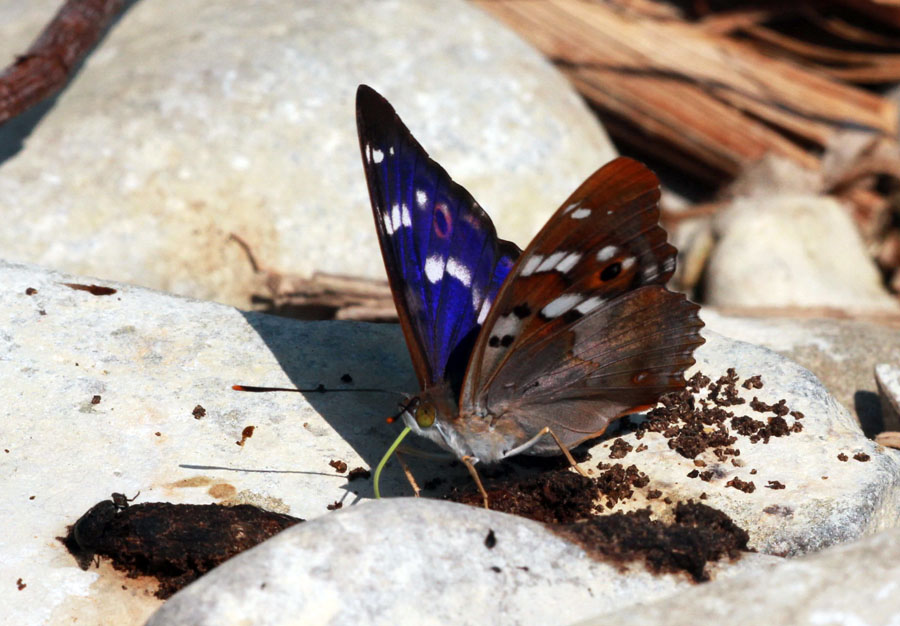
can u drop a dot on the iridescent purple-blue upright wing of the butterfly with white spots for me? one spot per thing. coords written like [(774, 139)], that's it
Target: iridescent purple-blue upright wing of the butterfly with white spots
[(444, 261)]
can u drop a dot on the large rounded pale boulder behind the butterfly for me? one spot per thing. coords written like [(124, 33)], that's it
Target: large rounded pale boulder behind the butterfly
[(192, 122)]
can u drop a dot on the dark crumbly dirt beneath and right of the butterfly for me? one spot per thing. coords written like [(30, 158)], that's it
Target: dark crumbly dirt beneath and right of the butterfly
[(703, 418)]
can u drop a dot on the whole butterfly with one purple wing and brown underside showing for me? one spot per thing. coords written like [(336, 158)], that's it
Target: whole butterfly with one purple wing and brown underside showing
[(524, 352)]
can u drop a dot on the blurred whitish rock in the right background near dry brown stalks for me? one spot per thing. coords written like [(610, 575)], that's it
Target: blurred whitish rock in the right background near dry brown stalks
[(792, 251)]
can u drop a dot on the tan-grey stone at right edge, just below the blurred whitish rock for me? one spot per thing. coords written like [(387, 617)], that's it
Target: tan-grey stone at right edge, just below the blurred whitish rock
[(842, 353)]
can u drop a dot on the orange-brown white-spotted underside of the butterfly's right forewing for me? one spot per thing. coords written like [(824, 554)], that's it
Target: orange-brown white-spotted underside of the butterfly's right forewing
[(604, 241)]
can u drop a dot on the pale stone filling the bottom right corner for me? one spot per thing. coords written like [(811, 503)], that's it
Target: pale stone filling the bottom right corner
[(852, 584)]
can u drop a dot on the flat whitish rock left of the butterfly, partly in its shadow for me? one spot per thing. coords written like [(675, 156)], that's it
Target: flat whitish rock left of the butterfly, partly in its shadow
[(152, 358)]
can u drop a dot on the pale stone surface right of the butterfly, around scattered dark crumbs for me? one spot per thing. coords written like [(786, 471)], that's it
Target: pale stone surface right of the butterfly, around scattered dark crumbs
[(826, 500)]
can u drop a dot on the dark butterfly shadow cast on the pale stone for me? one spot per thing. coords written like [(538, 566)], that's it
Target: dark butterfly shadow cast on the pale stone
[(355, 376)]
